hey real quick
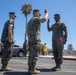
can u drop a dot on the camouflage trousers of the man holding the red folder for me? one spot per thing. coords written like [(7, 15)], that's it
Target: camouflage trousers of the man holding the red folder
[(58, 52)]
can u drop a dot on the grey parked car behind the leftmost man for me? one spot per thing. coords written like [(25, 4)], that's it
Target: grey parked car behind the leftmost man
[(17, 51)]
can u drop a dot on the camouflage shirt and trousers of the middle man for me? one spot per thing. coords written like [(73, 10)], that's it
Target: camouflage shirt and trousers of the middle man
[(33, 30)]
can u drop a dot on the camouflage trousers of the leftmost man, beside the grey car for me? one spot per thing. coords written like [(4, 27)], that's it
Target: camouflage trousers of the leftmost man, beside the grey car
[(6, 53)]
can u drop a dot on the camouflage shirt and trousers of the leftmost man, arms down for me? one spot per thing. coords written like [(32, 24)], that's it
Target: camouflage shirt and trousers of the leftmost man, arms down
[(8, 47)]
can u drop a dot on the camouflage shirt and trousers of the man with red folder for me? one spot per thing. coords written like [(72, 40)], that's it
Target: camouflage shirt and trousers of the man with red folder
[(57, 29)]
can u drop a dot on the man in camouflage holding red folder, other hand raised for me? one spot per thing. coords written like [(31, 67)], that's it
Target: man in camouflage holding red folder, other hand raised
[(58, 42)]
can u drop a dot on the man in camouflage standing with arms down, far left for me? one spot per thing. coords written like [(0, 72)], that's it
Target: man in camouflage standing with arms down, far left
[(7, 39)]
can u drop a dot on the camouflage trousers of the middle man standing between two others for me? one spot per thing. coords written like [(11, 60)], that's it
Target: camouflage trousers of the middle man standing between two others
[(33, 53)]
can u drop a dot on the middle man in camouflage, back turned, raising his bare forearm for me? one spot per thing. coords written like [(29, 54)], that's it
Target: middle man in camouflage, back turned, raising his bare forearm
[(33, 33)]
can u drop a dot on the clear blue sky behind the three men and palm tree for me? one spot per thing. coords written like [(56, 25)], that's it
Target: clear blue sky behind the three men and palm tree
[(66, 8)]
